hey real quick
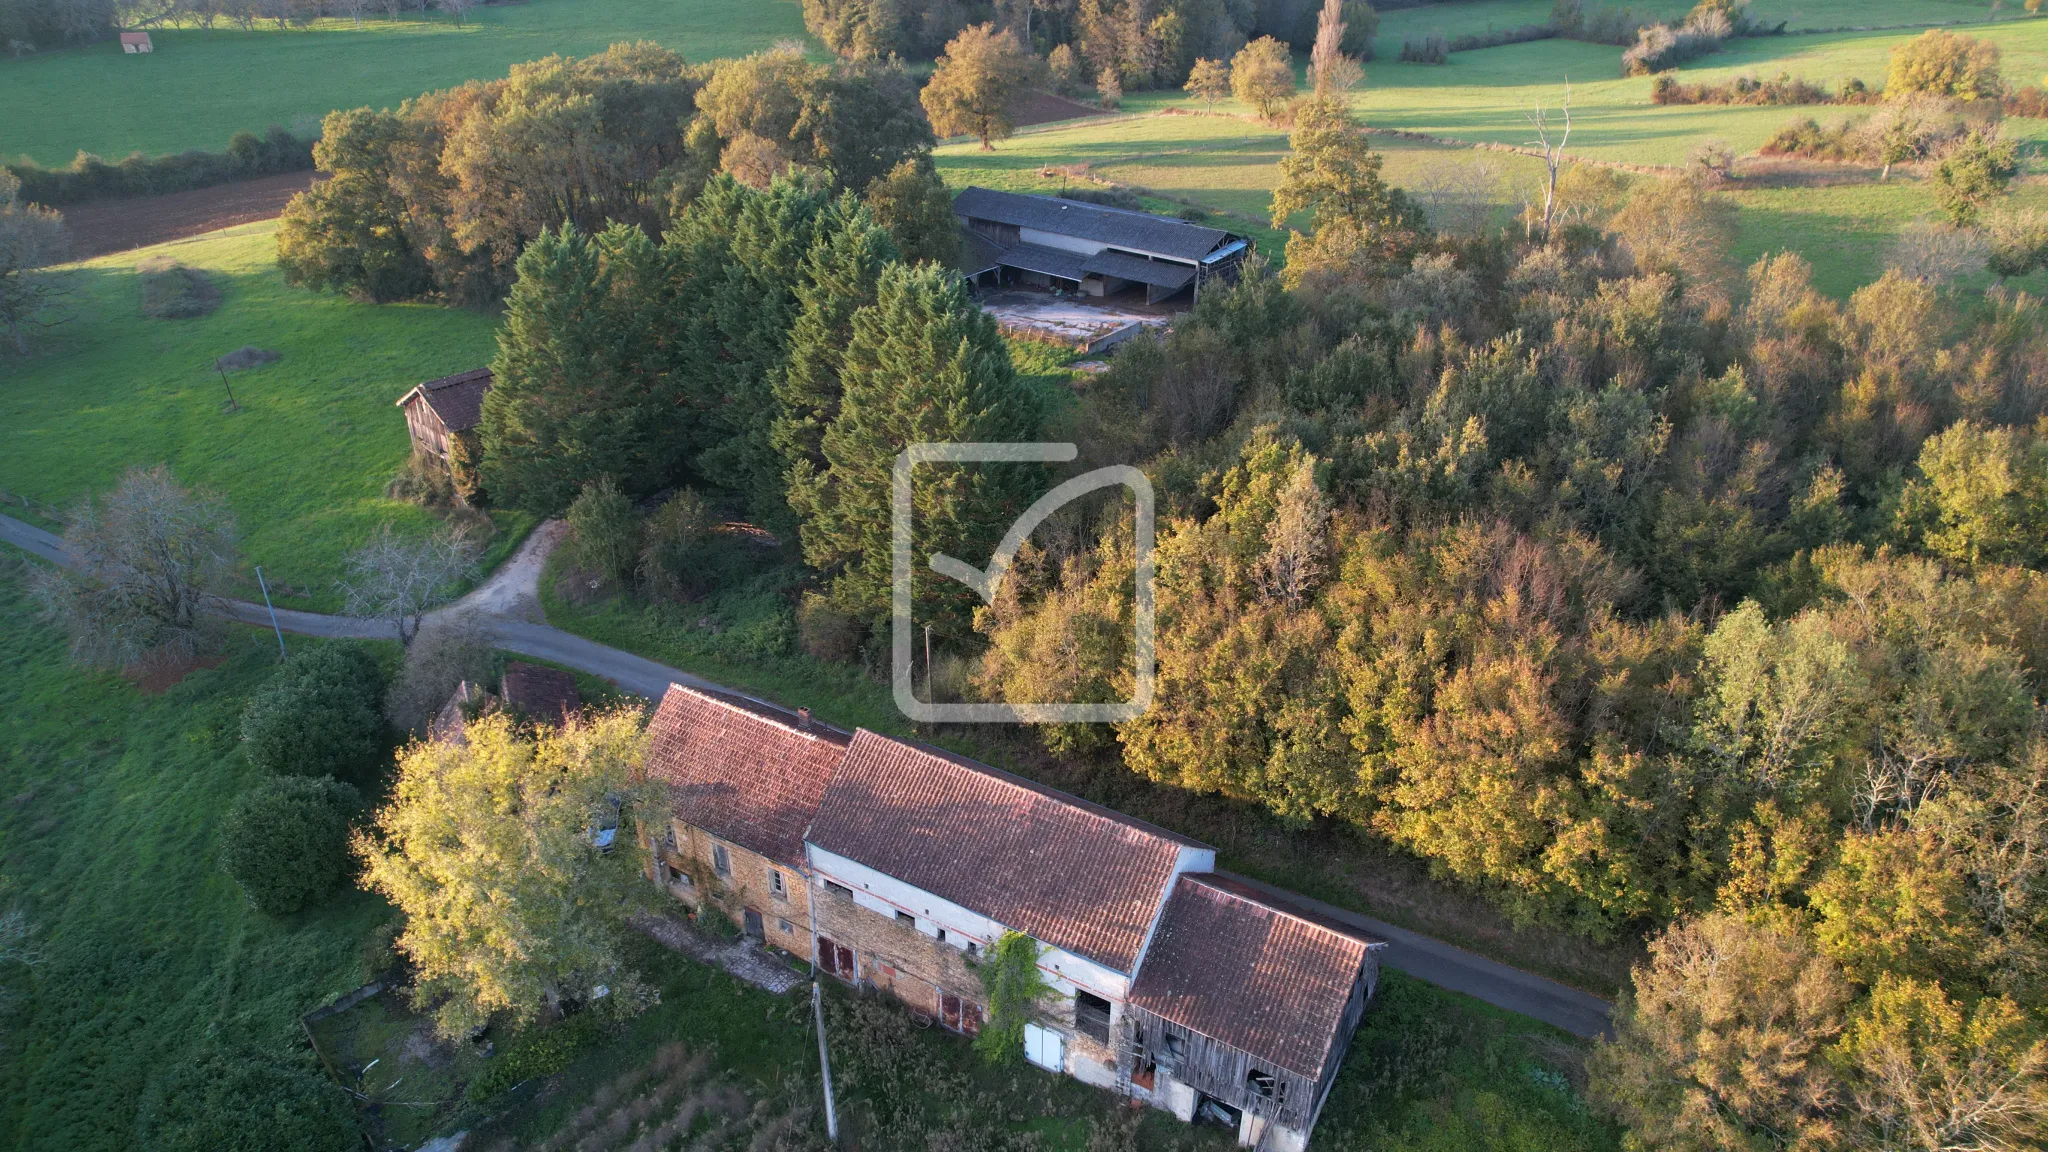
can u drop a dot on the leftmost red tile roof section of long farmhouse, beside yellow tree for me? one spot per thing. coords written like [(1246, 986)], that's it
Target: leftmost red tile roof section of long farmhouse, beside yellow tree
[(740, 770)]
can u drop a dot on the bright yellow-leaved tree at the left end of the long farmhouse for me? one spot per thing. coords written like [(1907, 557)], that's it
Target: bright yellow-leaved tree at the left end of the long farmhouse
[(493, 850)]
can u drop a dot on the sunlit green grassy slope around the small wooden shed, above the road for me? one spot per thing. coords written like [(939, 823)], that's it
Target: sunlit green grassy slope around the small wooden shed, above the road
[(304, 462)]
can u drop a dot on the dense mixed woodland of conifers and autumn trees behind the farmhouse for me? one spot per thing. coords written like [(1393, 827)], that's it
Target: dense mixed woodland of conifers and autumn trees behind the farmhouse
[(1648, 595)]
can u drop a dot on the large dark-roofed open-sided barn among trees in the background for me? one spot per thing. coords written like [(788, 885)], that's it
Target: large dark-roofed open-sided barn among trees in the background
[(1091, 249)]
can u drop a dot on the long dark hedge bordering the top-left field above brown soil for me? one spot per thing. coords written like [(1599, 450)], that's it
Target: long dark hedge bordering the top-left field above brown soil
[(91, 179)]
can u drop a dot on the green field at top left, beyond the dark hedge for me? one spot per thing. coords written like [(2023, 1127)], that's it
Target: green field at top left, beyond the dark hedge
[(202, 87)]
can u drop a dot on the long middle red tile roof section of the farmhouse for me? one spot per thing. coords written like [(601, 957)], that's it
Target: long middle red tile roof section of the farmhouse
[(1041, 862)]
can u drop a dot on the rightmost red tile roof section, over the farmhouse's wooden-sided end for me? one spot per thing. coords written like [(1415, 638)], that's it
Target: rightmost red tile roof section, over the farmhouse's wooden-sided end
[(1250, 973)]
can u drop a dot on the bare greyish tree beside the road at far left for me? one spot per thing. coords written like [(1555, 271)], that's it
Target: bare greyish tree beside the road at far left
[(148, 563)]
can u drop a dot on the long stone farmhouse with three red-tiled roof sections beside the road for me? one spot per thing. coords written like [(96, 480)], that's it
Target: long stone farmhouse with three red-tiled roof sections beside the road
[(894, 866)]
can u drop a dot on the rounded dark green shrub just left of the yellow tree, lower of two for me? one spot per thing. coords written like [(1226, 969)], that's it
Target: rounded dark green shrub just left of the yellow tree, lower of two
[(286, 841)]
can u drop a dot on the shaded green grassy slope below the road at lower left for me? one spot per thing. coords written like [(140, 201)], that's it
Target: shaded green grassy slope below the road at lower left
[(110, 841)]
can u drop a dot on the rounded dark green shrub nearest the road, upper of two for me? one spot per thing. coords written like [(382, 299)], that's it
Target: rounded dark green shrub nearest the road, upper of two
[(318, 716)]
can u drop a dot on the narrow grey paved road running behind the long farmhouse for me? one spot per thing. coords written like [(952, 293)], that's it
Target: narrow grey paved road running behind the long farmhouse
[(513, 593)]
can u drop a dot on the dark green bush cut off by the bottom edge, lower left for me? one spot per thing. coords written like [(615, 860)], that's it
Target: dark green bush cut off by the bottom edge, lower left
[(241, 1102)]
